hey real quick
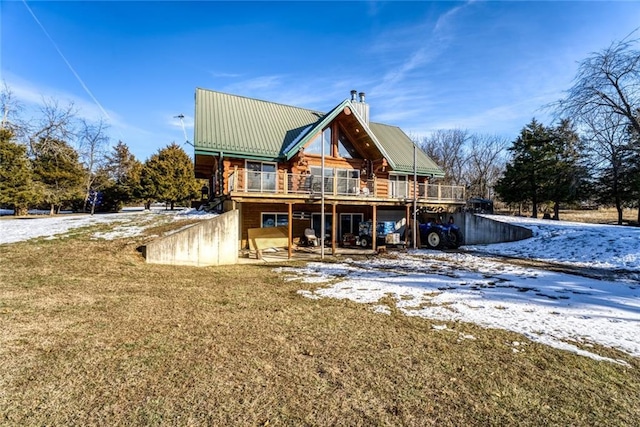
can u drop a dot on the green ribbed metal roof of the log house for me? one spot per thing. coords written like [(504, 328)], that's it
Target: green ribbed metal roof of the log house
[(246, 127)]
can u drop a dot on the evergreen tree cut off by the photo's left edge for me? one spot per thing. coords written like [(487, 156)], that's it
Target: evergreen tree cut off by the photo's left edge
[(17, 188)]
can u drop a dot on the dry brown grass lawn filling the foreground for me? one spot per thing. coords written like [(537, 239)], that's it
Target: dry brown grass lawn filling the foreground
[(91, 335)]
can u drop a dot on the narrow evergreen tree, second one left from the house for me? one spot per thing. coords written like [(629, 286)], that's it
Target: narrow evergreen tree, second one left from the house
[(124, 173)]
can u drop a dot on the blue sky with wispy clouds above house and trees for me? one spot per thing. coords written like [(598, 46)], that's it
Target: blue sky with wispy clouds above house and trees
[(487, 67)]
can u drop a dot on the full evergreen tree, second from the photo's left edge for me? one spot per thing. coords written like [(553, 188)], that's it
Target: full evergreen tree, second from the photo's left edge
[(57, 167)]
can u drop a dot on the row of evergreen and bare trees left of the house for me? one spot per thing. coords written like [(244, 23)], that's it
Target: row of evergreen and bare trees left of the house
[(57, 160)]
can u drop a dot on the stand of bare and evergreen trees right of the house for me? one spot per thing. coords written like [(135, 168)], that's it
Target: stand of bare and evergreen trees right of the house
[(590, 156)]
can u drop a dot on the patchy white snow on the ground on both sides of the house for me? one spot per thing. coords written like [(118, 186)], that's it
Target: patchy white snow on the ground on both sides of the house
[(566, 311)]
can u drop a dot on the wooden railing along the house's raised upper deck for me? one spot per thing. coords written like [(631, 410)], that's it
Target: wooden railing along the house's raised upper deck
[(291, 183)]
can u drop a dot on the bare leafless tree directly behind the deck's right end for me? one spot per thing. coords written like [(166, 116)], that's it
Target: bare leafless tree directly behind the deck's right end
[(447, 148)]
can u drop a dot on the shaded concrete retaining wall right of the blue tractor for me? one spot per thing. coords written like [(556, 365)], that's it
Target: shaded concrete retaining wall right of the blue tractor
[(479, 230)]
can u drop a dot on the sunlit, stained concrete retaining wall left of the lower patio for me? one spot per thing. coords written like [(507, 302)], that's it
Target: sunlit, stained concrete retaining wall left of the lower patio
[(211, 242)]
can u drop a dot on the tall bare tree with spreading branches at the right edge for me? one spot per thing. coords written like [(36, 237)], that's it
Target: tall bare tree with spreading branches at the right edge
[(605, 100)]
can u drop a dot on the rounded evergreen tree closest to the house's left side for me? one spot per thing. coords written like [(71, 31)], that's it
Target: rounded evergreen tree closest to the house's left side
[(168, 176)]
